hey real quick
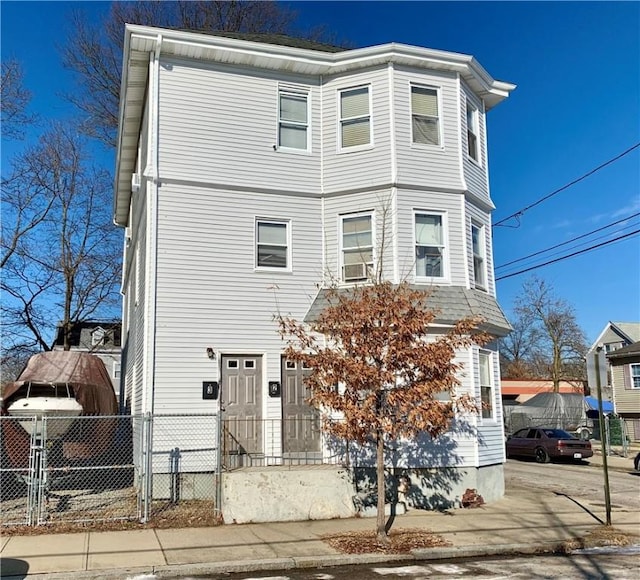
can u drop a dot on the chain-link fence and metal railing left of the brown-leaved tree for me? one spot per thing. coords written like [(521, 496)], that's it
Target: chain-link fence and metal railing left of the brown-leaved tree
[(148, 468)]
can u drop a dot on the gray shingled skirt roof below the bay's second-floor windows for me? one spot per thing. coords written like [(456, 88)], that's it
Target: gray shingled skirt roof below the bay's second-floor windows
[(452, 303)]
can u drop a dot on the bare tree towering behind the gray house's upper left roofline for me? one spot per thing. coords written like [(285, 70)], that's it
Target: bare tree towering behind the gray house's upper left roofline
[(94, 50)]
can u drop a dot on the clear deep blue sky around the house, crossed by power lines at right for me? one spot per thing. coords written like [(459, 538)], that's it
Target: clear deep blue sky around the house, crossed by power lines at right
[(577, 105)]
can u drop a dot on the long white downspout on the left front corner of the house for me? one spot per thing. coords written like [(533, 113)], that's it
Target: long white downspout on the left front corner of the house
[(152, 174)]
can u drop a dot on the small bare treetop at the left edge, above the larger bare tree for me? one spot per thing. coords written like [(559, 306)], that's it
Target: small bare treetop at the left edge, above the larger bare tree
[(14, 100)]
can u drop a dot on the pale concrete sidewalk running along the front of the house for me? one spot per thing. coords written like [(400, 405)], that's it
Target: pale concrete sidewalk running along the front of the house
[(524, 521)]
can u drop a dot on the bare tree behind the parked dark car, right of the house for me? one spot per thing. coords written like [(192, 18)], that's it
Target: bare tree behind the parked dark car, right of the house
[(558, 344)]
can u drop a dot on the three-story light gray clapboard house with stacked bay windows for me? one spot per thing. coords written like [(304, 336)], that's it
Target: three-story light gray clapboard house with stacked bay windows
[(250, 175)]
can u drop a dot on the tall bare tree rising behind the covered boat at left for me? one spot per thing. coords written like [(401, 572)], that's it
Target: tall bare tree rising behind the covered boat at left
[(60, 252)]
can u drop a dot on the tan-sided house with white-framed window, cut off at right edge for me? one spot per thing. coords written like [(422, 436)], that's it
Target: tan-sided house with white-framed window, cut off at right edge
[(625, 379)]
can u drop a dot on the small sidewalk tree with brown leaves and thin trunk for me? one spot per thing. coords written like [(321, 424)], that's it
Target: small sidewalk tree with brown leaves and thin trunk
[(377, 368)]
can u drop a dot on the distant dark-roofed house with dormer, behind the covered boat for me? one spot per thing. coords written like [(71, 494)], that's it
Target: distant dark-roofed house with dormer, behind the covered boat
[(98, 337)]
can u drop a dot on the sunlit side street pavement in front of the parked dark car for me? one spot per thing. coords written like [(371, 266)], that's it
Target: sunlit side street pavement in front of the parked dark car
[(578, 481)]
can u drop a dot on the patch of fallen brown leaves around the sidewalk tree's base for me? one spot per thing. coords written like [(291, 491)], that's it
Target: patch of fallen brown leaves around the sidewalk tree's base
[(401, 541)]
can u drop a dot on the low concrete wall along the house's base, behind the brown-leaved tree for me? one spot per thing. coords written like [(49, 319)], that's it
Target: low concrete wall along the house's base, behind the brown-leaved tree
[(279, 494)]
